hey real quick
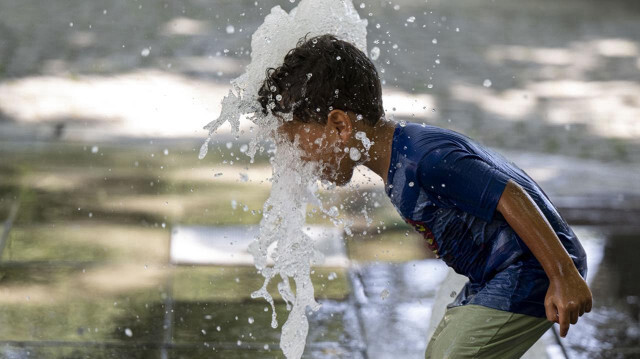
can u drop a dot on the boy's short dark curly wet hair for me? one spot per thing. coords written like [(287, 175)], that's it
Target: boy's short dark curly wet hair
[(319, 75)]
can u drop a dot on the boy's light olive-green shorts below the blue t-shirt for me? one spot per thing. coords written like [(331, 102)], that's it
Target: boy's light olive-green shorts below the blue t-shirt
[(474, 331)]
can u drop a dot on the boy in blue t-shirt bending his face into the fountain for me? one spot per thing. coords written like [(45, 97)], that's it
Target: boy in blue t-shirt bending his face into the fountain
[(485, 217)]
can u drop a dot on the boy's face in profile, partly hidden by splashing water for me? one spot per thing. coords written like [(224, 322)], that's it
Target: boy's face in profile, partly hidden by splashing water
[(323, 144)]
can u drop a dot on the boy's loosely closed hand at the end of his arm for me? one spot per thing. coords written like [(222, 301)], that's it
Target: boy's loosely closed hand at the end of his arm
[(567, 299)]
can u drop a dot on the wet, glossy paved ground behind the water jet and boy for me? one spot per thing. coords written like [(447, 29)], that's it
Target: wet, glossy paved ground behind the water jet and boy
[(87, 269)]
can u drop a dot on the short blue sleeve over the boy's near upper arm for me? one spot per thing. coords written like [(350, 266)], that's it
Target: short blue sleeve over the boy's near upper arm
[(462, 179)]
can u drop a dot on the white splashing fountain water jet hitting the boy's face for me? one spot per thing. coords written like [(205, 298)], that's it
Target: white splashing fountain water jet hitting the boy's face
[(294, 183)]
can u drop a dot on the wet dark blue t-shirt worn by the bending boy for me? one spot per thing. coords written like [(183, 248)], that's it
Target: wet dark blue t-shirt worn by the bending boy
[(448, 187)]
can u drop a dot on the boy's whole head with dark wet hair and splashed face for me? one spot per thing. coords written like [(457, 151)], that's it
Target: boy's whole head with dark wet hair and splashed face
[(333, 91)]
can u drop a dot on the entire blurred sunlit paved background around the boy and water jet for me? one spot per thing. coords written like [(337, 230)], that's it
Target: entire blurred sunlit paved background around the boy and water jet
[(117, 242)]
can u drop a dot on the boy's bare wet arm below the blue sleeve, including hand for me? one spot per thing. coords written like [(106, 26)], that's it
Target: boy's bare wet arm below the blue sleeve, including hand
[(568, 296)]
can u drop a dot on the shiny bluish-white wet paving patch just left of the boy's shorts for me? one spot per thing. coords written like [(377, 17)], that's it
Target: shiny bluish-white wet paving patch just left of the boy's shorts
[(395, 302)]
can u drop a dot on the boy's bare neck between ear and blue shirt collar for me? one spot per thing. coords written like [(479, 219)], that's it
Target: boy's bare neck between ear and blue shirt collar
[(380, 152)]
